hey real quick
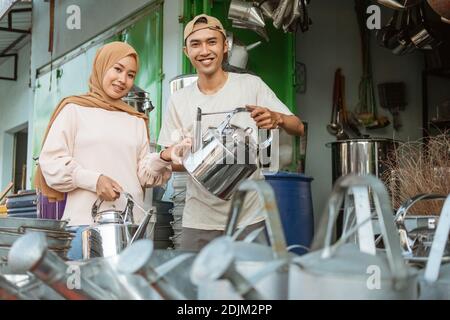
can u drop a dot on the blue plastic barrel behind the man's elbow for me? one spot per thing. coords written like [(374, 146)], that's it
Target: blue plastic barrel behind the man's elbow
[(293, 195)]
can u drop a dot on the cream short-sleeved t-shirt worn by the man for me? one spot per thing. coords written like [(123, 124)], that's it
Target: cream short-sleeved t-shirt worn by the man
[(203, 210)]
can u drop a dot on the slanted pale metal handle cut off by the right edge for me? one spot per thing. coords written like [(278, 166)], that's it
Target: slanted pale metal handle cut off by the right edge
[(439, 243)]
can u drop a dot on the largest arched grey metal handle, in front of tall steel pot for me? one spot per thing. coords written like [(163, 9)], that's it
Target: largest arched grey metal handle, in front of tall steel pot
[(385, 216)]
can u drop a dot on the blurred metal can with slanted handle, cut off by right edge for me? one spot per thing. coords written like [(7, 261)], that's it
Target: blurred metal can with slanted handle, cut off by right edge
[(435, 279)]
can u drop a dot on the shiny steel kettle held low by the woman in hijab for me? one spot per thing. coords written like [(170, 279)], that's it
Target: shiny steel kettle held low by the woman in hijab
[(113, 230)]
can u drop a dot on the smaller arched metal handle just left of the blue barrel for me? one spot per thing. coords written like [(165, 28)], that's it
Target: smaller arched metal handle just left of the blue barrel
[(270, 211)]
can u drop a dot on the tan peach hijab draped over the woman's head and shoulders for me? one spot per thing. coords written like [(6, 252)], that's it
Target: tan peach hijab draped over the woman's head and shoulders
[(105, 58)]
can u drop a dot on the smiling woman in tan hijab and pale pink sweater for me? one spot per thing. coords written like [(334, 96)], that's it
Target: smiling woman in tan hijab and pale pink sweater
[(97, 146)]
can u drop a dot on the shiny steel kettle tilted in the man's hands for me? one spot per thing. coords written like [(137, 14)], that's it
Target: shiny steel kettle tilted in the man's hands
[(224, 156)]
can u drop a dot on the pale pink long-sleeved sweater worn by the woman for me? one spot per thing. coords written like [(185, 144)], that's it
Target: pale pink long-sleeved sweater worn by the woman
[(86, 142)]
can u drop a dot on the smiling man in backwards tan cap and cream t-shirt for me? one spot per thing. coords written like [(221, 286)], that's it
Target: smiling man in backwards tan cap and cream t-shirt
[(205, 216)]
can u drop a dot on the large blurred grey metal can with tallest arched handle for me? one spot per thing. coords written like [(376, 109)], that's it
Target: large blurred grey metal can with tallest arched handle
[(344, 271)]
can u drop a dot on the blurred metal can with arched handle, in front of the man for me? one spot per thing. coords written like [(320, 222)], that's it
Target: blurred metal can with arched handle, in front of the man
[(227, 269)]
